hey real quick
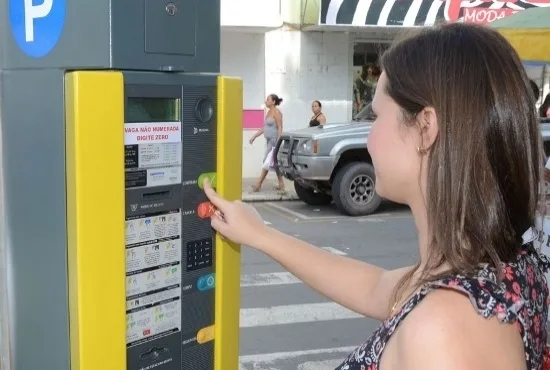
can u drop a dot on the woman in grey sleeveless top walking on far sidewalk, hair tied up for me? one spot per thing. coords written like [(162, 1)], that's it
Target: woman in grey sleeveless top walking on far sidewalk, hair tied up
[(272, 130)]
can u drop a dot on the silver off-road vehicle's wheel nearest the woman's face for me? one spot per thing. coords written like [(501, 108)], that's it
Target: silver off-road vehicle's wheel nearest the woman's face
[(353, 189)]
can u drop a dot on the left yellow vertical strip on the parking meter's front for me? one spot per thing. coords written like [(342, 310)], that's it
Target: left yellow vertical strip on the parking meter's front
[(95, 211)]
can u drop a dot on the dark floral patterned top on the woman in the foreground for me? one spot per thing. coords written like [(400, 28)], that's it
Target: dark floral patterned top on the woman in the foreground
[(520, 297)]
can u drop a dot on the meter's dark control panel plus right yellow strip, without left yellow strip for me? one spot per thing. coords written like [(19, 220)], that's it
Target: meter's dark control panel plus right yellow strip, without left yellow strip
[(178, 130)]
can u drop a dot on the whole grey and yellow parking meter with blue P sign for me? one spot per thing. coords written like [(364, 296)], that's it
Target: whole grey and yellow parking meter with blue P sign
[(111, 114)]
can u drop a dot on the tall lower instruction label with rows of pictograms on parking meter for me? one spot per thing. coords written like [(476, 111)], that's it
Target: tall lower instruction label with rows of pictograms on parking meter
[(153, 276)]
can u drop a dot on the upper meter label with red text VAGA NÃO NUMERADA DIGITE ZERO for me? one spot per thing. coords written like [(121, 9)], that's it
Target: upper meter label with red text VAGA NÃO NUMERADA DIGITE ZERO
[(153, 154)]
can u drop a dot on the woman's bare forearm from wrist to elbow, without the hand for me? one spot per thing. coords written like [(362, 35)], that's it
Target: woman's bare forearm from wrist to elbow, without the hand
[(356, 285)]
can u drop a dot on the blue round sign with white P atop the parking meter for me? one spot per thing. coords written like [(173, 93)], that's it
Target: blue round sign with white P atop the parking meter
[(37, 25)]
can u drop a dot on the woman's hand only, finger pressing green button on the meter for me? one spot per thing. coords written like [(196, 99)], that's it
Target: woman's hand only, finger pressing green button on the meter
[(239, 222)]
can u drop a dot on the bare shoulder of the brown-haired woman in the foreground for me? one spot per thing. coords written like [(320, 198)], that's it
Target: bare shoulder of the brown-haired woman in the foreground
[(446, 332)]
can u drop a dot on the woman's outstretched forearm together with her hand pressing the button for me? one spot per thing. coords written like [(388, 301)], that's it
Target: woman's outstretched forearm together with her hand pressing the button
[(357, 285)]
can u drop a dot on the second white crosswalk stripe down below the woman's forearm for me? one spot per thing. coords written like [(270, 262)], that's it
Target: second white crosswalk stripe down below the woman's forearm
[(293, 314)]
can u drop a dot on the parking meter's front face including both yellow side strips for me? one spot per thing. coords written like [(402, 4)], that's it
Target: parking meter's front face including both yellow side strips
[(168, 273)]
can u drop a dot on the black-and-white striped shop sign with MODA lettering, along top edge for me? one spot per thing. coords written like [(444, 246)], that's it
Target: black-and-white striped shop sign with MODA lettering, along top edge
[(409, 13)]
